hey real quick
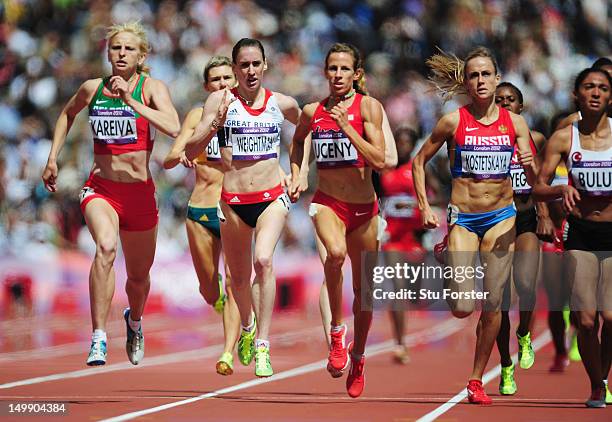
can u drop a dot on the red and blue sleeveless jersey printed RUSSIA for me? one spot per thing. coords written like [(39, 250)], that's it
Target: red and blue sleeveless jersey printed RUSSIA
[(483, 151)]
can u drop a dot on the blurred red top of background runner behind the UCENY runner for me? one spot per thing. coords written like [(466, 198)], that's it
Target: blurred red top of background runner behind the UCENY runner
[(400, 205)]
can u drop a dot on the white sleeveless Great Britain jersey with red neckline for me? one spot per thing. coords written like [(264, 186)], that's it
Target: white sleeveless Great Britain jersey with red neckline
[(254, 134)]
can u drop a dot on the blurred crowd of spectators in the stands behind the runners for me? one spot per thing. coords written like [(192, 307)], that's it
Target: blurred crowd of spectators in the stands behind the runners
[(48, 48)]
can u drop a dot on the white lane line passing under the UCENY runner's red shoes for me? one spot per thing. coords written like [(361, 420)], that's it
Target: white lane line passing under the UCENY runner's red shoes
[(428, 335)]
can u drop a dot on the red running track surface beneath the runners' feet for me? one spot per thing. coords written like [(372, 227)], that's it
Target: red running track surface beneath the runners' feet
[(177, 380)]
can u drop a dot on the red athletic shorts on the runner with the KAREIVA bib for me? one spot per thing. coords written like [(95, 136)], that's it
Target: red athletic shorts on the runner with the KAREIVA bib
[(134, 203)]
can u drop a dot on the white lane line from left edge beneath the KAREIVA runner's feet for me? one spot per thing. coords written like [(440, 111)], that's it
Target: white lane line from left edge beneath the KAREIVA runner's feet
[(176, 357)]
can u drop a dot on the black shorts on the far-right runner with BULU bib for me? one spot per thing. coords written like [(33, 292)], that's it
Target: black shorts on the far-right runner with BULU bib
[(586, 235)]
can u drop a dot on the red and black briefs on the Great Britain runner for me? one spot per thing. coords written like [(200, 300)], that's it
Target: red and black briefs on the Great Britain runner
[(249, 206)]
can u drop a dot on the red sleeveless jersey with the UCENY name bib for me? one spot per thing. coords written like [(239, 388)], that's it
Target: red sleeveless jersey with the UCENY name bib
[(332, 148)]
